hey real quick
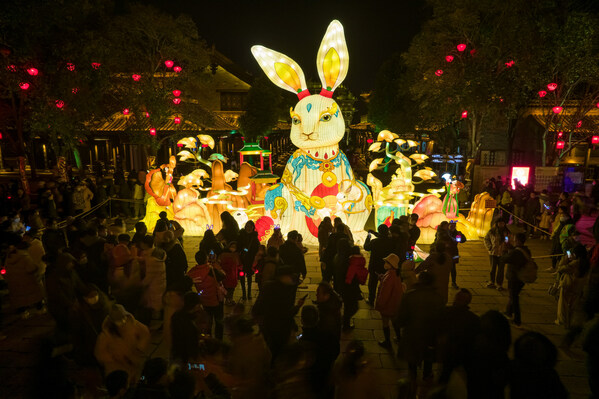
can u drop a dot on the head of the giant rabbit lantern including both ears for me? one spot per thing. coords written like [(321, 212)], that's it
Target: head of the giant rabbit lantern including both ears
[(316, 120)]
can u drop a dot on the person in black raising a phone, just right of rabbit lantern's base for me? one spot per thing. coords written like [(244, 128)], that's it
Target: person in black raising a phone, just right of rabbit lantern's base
[(379, 247)]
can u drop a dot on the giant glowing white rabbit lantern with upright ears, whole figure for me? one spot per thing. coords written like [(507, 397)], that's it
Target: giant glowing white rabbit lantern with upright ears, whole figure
[(318, 180)]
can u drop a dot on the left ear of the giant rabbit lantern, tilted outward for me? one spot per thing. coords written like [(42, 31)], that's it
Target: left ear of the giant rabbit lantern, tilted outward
[(281, 70)]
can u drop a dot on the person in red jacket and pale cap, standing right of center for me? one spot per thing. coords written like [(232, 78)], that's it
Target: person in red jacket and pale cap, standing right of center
[(389, 297)]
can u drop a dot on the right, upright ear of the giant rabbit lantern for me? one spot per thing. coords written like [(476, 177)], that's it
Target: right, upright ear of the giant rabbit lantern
[(332, 60)]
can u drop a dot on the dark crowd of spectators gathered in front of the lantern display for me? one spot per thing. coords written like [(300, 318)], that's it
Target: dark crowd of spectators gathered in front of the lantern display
[(112, 295)]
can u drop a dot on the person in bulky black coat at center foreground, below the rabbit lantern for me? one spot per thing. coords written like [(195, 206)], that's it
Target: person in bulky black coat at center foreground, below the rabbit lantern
[(275, 310)]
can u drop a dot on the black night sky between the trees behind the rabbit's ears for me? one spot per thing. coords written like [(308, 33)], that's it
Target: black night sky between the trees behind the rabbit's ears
[(373, 30)]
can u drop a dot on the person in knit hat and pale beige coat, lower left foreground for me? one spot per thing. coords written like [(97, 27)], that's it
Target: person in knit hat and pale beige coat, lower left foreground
[(122, 344)]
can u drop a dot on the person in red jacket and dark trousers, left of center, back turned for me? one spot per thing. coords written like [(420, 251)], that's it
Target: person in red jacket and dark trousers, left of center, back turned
[(207, 282)]
